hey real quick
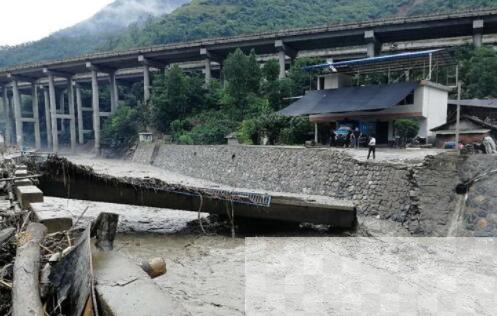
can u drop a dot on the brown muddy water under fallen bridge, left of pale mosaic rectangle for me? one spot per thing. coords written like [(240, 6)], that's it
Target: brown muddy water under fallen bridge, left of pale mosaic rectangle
[(205, 272)]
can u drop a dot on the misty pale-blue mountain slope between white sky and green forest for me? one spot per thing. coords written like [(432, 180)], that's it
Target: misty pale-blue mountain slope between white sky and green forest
[(120, 14)]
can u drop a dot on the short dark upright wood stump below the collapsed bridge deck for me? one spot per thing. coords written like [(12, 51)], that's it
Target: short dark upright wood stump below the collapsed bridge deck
[(104, 229)]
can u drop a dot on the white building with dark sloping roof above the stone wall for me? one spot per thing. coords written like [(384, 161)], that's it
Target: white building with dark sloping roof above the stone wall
[(374, 109)]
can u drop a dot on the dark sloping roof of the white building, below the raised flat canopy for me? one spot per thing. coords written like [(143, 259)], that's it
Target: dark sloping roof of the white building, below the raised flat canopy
[(350, 99)]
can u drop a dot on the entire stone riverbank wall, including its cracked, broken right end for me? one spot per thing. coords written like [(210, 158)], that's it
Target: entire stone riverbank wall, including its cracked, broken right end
[(420, 196)]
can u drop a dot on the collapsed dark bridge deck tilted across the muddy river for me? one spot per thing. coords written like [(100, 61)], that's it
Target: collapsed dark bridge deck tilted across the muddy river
[(61, 178)]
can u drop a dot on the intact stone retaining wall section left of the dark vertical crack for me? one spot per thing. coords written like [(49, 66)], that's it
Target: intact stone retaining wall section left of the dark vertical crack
[(378, 189)]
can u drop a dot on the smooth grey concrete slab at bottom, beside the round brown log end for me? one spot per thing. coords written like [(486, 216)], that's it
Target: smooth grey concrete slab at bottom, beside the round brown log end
[(123, 288)]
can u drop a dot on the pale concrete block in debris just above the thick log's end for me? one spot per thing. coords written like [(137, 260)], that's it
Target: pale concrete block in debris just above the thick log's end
[(54, 220)]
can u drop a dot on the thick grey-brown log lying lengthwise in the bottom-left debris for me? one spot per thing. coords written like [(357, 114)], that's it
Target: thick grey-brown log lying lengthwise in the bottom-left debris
[(26, 294)]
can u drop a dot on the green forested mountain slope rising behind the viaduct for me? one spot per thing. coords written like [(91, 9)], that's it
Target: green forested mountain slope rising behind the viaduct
[(212, 18)]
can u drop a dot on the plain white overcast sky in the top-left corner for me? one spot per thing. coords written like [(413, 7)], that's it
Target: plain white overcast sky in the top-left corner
[(29, 20)]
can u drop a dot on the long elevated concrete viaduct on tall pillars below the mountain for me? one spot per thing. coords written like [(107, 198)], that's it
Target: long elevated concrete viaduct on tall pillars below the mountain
[(65, 77)]
